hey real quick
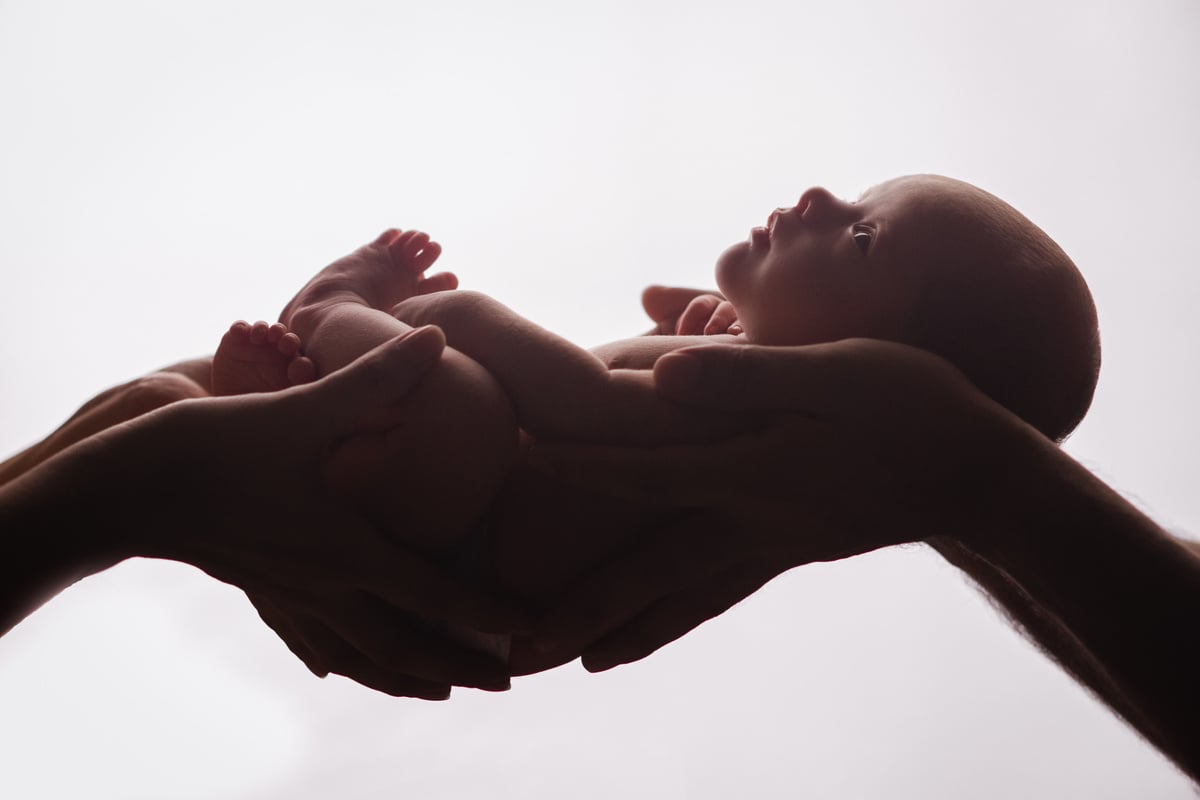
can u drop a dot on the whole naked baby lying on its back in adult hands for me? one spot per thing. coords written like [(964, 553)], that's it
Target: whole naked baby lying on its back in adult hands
[(925, 261)]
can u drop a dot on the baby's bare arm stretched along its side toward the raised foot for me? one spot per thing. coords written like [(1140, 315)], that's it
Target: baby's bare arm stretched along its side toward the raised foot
[(561, 390)]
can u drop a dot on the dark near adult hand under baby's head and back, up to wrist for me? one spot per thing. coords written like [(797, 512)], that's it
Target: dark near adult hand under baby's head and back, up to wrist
[(865, 444)]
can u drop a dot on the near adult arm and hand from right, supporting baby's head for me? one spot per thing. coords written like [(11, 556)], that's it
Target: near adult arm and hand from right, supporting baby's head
[(883, 444)]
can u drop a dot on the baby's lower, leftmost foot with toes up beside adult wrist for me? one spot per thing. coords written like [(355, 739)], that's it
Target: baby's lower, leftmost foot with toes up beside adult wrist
[(259, 358)]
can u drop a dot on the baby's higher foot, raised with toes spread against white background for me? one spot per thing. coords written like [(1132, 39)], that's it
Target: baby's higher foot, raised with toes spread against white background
[(389, 270)]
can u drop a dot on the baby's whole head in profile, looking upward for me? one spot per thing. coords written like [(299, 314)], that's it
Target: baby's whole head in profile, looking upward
[(934, 263)]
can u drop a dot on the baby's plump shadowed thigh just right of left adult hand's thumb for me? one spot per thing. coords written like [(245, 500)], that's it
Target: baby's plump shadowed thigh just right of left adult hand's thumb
[(439, 471)]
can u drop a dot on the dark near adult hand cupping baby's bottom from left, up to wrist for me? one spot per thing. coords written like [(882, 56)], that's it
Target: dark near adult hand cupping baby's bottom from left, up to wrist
[(340, 594)]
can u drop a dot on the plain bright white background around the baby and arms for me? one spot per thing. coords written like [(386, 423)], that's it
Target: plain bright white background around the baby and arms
[(166, 169)]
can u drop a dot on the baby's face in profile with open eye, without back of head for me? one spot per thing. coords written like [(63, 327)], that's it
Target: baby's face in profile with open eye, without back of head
[(827, 269)]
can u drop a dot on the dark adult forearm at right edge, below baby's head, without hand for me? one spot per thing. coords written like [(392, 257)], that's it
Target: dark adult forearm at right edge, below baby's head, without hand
[(1103, 591)]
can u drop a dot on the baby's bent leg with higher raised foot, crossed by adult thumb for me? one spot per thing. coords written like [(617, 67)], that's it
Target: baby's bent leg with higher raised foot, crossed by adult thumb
[(431, 478)]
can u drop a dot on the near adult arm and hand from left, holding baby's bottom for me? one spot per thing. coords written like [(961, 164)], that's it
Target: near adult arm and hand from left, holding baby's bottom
[(235, 488)]
